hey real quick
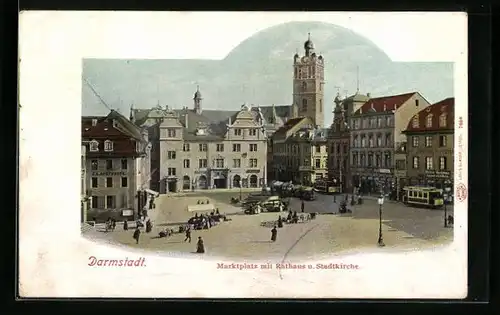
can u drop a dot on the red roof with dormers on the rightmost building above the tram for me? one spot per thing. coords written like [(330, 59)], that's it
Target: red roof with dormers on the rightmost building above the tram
[(434, 112)]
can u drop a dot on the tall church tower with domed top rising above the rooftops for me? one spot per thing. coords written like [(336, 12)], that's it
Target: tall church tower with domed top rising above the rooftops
[(308, 81)]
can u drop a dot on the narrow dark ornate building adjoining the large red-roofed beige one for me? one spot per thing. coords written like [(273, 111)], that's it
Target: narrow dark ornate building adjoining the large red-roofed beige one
[(338, 147)]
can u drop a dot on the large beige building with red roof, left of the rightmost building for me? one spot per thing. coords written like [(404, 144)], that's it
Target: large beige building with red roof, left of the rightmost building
[(376, 132)]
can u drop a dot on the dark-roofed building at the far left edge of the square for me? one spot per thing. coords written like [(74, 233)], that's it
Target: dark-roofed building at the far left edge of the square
[(117, 157)]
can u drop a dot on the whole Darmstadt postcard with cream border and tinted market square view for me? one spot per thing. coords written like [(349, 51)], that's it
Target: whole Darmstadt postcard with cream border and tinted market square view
[(243, 154)]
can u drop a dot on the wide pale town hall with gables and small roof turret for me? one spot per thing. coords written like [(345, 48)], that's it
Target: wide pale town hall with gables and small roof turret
[(206, 149)]
